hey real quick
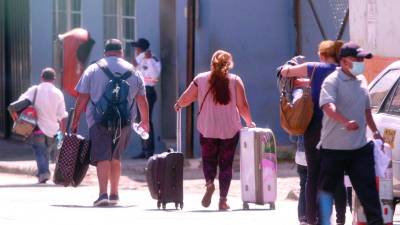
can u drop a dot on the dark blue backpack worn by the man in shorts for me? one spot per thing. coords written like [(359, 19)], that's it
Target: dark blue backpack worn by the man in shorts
[(113, 110)]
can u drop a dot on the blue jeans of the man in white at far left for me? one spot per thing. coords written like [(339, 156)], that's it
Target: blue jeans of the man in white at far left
[(41, 144)]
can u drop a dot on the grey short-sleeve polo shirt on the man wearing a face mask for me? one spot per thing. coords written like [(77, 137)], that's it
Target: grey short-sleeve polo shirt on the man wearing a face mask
[(350, 96)]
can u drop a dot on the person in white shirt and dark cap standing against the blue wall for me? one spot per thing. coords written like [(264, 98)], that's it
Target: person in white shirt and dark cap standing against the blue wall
[(150, 68)]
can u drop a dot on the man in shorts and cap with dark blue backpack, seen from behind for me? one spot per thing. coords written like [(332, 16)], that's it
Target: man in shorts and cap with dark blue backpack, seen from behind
[(108, 91)]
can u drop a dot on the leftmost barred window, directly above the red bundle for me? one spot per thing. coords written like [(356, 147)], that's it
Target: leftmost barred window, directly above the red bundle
[(67, 15)]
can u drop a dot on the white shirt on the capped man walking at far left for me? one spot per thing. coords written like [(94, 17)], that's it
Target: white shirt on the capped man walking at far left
[(50, 106)]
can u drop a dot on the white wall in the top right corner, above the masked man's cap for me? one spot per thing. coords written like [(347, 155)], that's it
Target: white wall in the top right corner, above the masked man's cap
[(375, 25)]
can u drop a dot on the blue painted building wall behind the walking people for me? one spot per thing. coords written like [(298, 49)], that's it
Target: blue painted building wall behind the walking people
[(260, 34)]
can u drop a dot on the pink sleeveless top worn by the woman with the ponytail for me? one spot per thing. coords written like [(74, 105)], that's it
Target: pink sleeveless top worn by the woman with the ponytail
[(215, 120)]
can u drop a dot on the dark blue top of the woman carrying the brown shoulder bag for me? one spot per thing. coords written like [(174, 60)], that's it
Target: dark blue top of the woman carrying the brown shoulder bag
[(322, 70)]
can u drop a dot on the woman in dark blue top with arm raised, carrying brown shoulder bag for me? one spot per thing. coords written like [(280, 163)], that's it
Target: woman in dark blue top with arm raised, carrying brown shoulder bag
[(315, 73)]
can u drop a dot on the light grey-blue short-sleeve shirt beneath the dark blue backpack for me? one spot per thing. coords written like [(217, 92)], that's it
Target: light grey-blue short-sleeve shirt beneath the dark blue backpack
[(94, 81)]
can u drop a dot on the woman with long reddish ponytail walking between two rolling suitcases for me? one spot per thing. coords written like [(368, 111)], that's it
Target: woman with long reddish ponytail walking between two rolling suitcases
[(222, 100)]
